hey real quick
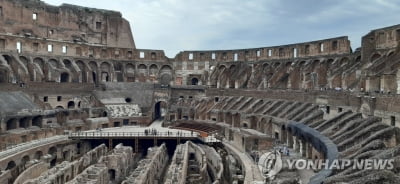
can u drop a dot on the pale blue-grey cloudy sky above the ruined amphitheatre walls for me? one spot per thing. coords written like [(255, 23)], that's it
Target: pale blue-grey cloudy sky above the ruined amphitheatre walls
[(177, 25)]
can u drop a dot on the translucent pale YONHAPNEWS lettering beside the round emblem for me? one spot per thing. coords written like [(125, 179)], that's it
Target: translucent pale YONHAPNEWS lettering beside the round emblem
[(341, 164)]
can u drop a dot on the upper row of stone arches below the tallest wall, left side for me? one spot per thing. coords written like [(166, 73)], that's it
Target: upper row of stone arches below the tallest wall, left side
[(15, 69)]
